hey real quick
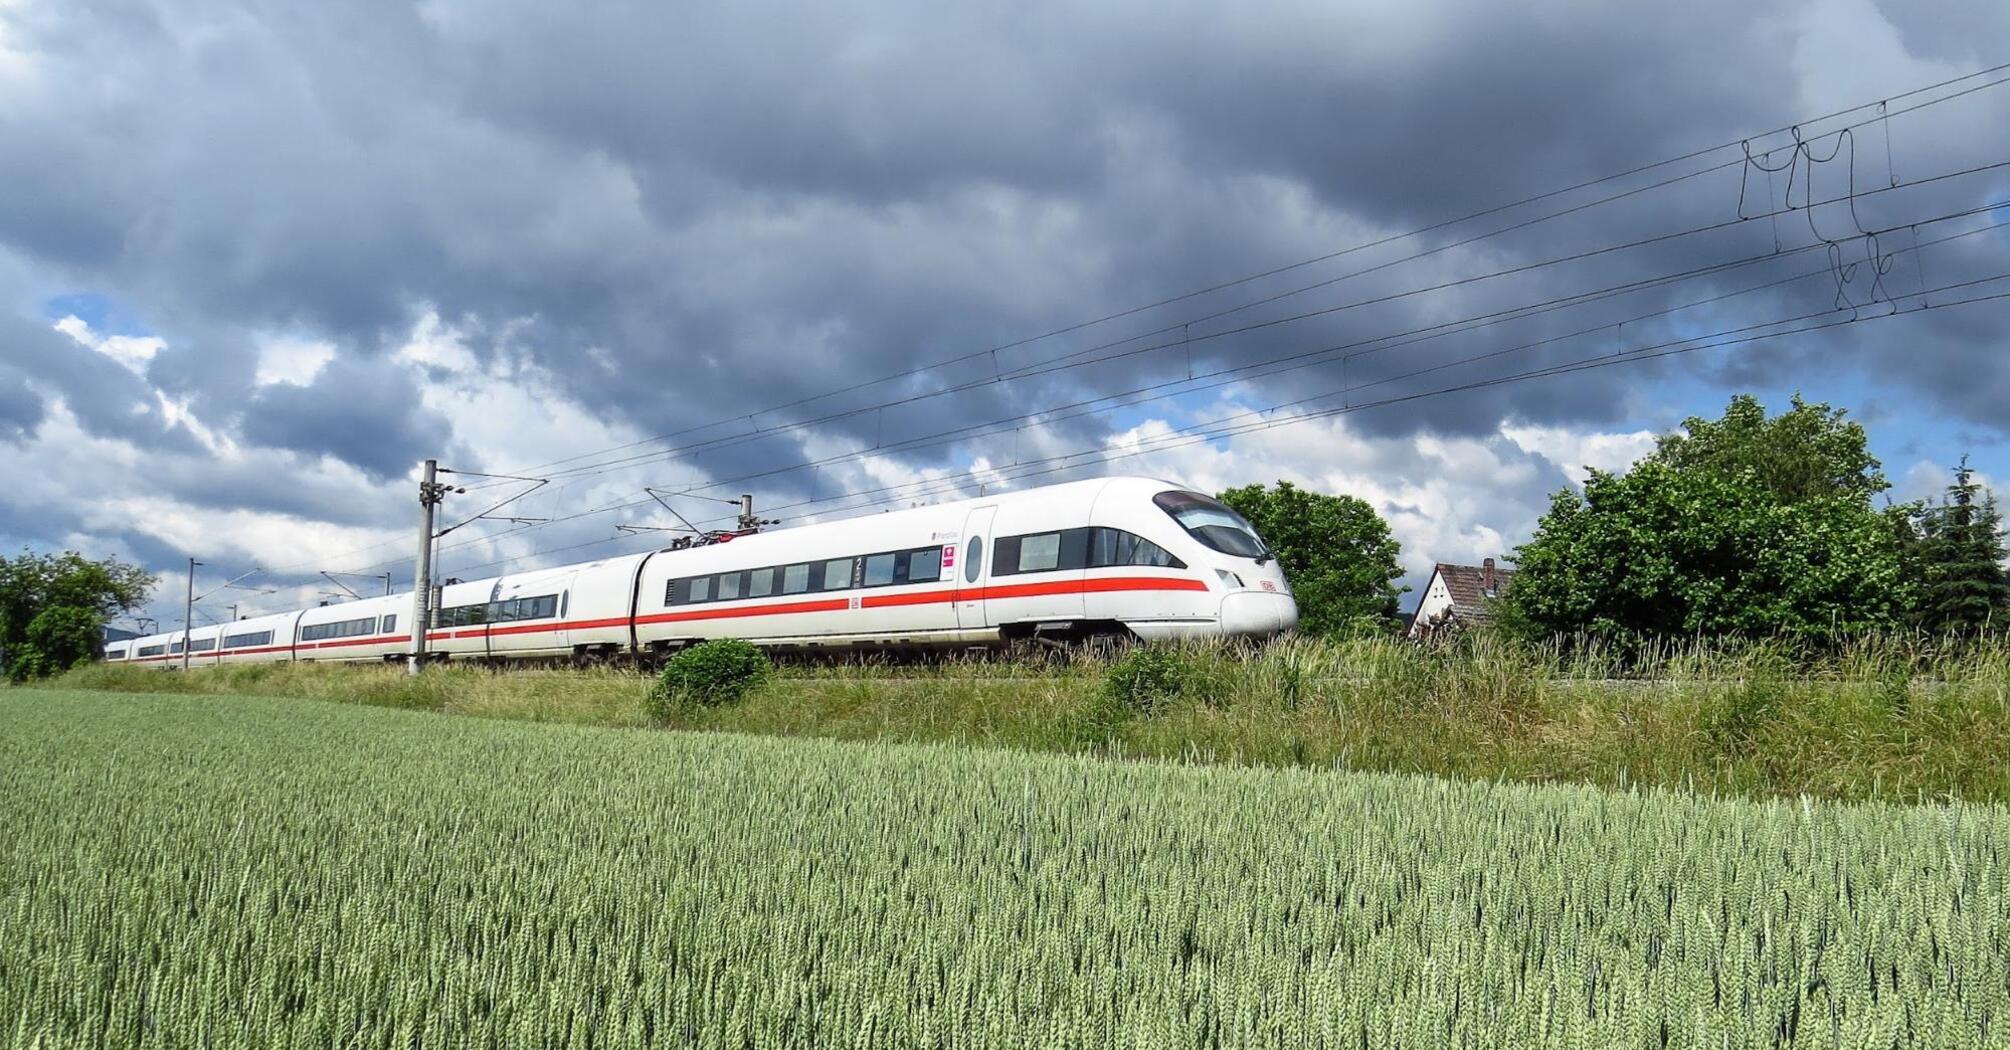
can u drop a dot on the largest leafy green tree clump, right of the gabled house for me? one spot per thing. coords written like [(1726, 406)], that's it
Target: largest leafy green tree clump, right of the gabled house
[(1742, 526)]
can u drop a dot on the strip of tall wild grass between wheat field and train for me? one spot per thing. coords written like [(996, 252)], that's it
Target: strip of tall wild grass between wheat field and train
[(1882, 721)]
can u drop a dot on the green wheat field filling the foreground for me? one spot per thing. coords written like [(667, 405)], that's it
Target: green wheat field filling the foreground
[(240, 872)]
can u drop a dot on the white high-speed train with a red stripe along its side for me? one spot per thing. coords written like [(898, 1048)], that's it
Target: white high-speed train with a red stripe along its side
[(1121, 556)]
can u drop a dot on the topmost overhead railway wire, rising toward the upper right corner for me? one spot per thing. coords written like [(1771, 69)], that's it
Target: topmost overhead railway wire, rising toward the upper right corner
[(1884, 116)]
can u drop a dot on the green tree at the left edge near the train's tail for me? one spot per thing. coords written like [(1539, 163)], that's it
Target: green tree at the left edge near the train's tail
[(53, 608)]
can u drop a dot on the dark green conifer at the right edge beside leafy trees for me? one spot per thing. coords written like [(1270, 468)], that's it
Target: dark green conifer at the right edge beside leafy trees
[(1963, 558)]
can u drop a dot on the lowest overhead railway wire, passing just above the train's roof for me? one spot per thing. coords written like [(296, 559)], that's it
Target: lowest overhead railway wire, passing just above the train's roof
[(1215, 431)]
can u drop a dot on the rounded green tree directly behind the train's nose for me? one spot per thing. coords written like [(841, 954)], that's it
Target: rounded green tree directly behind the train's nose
[(1336, 550)]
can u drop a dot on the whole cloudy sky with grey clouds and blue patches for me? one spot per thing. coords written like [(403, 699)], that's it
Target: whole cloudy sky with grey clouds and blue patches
[(256, 258)]
